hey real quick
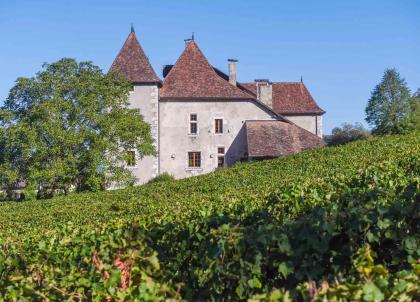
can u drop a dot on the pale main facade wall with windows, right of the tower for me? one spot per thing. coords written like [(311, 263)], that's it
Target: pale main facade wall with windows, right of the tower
[(176, 142)]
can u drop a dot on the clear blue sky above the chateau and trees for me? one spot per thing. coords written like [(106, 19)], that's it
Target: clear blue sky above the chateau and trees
[(341, 48)]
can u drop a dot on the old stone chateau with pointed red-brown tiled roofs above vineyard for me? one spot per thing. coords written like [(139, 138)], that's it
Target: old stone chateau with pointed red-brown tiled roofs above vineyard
[(202, 118)]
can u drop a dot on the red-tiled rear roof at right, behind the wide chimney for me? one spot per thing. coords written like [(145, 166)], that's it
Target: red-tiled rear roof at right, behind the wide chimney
[(290, 98)]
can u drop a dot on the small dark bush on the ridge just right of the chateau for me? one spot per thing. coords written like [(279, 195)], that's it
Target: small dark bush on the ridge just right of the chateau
[(347, 133)]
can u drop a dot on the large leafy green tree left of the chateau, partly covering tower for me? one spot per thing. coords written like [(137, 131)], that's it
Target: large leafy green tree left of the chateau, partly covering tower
[(69, 127)]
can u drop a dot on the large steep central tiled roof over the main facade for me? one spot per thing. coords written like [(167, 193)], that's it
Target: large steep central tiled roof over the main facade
[(193, 77)]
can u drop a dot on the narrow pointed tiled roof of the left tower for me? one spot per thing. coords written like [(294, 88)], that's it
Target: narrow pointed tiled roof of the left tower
[(133, 63)]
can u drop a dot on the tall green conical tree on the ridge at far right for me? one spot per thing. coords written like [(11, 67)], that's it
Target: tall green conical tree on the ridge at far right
[(389, 108)]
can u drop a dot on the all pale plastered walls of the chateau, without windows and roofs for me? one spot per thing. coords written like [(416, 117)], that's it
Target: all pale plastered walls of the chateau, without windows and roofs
[(169, 122)]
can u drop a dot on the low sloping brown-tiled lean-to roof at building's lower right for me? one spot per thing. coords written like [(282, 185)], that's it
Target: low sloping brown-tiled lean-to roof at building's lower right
[(276, 138)]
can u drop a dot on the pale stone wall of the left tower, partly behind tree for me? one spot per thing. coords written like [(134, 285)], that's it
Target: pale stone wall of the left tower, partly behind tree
[(146, 98)]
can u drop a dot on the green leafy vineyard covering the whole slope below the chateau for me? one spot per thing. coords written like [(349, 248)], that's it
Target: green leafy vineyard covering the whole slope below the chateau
[(331, 224)]
